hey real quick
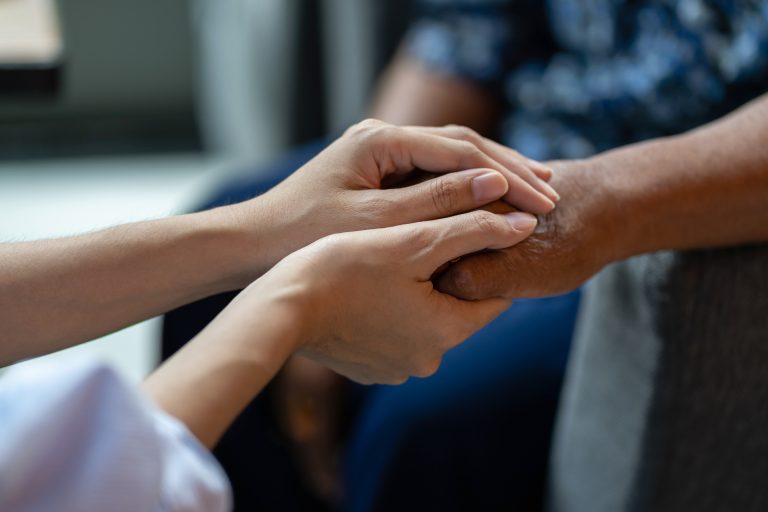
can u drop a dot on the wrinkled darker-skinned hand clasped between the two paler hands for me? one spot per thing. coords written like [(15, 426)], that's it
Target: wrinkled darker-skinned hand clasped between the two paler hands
[(569, 245)]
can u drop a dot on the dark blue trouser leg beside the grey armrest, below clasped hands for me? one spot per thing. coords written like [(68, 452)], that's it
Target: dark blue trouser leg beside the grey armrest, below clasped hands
[(476, 435)]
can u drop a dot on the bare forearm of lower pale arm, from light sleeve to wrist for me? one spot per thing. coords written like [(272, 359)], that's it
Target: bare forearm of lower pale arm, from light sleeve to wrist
[(210, 381)]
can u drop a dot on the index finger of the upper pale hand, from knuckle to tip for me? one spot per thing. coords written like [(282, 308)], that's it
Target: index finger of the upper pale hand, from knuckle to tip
[(401, 151)]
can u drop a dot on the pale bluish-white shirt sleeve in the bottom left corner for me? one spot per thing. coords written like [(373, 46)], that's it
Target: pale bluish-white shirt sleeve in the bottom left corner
[(77, 438)]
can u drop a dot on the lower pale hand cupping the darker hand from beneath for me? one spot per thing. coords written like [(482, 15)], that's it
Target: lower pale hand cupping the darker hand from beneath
[(366, 304)]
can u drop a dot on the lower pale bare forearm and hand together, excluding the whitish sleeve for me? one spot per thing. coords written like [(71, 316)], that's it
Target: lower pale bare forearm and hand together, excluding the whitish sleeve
[(359, 303)]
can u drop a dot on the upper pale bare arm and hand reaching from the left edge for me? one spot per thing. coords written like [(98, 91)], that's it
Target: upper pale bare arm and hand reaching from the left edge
[(57, 293)]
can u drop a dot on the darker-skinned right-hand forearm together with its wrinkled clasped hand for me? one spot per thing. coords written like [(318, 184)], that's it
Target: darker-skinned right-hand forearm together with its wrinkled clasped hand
[(705, 188)]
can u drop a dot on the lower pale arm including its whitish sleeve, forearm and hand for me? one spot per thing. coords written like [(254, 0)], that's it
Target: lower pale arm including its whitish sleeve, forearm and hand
[(78, 437)]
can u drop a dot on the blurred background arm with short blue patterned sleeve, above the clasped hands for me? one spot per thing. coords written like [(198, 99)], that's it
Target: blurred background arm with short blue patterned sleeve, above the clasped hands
[(452, 65)]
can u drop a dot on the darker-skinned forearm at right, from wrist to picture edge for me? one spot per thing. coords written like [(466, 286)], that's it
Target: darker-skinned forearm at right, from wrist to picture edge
[(705, 188)]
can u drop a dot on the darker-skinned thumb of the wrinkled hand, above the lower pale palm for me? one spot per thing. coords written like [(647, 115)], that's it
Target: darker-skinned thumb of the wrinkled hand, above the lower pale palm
[(480, 277)]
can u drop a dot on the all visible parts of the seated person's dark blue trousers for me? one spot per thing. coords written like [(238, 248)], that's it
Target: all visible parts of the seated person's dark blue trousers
[(475, 436)]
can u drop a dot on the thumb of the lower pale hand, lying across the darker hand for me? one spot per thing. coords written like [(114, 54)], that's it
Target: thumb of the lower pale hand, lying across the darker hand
[(438, 241)]
